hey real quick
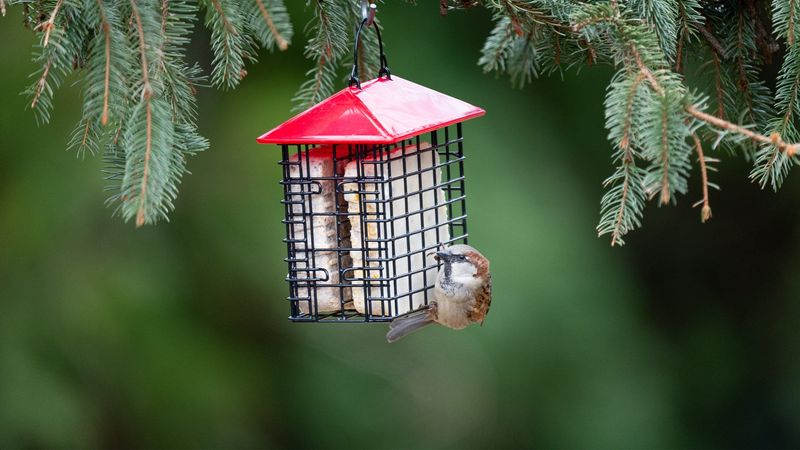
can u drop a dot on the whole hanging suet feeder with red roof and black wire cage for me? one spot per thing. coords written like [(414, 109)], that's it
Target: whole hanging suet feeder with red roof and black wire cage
[(373, 182)]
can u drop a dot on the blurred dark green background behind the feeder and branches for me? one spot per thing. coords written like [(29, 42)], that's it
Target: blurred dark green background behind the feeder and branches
[(176, 335)]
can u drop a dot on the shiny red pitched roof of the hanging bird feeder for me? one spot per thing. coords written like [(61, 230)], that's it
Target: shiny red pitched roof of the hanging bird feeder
[(383, 111)]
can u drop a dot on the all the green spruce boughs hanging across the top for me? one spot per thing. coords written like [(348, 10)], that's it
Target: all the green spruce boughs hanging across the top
[(139, 109)]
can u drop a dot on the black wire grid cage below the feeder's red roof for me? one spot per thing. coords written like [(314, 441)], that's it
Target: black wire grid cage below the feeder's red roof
[(385, 269)]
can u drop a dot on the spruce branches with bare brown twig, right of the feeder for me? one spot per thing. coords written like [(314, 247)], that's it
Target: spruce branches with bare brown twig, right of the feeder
[(645, 39)]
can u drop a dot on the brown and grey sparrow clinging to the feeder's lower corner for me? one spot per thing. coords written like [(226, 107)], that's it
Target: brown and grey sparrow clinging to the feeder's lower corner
[(462, 294)]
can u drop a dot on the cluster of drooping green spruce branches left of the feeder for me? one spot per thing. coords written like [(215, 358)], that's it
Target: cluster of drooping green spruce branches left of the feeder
[(139, 108)]
